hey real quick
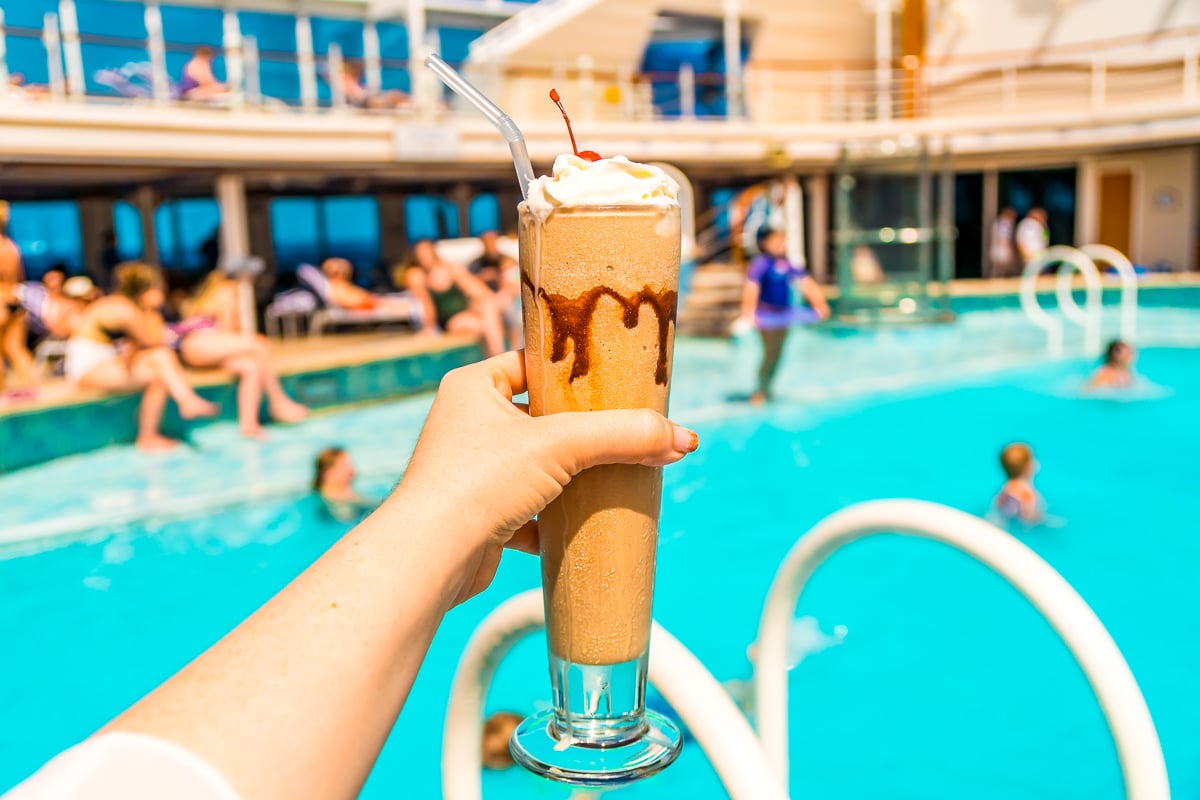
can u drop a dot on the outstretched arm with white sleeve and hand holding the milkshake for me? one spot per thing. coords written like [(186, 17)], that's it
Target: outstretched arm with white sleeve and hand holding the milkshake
[(299, 700)]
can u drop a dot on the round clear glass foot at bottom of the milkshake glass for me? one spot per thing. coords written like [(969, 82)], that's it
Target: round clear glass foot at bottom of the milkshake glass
[(538, 745)]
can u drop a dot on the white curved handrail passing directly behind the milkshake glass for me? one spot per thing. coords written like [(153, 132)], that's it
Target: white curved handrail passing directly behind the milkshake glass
[(717, 724)]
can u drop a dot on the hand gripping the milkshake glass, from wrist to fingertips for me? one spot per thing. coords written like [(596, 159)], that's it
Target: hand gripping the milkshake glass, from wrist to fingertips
[(494, 467)]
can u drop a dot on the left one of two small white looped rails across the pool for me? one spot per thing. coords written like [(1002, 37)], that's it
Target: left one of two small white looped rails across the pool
[(1089, 318)]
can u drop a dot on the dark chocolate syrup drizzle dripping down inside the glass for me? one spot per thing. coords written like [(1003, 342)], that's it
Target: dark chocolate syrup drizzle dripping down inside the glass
[(571, 321)]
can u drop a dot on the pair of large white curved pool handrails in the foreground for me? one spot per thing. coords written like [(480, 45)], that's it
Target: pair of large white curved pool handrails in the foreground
[(754, 767)]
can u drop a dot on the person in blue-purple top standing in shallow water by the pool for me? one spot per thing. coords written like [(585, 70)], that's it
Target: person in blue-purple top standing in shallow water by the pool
[(767, 304)]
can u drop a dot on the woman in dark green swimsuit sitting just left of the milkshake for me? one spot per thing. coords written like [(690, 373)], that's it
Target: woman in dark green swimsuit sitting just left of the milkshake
[(455, 300)]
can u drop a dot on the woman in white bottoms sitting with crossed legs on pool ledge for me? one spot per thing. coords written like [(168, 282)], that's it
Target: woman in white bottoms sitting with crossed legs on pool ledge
[(94, 362)]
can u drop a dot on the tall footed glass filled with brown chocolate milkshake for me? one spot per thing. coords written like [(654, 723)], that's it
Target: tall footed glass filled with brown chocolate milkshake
[(599, 291)]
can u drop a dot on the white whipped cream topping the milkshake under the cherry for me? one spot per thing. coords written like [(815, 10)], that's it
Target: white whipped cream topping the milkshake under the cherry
[(609, 182)]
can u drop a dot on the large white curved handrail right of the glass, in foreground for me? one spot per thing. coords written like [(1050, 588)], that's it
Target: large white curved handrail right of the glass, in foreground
[(1133, 730)]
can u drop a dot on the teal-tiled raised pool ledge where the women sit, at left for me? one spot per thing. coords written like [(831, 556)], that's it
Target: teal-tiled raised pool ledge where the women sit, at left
[(321, 372)]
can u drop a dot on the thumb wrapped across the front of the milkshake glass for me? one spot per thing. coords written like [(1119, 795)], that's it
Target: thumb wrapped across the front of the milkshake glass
[(586, 440)]
